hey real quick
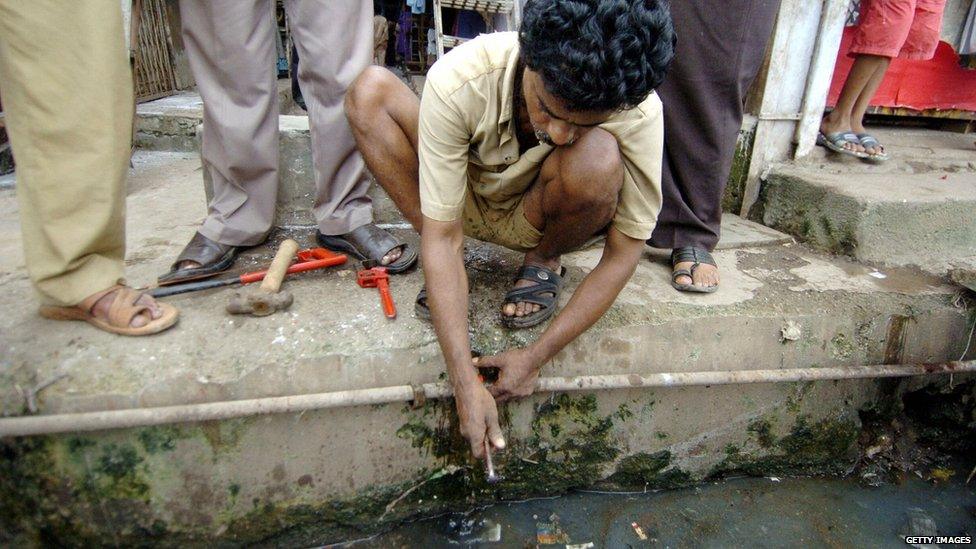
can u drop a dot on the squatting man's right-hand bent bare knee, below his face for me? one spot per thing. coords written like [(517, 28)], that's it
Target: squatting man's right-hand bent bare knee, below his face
[(591, 172)]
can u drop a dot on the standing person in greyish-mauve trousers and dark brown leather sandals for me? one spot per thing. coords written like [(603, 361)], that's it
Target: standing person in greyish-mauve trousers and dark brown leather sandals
[(231, 49)]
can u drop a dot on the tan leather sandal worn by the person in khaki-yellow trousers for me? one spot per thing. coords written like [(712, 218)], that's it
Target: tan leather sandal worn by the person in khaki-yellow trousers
[(120, 313)]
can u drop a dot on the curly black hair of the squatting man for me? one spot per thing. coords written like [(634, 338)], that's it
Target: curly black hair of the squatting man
[(598, 55)]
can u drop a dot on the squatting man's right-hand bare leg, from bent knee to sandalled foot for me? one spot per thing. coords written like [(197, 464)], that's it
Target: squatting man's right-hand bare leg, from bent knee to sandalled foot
[(574, 198)]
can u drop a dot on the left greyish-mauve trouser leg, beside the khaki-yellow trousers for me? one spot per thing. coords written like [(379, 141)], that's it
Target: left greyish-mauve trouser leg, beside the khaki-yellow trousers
[(231, 50)]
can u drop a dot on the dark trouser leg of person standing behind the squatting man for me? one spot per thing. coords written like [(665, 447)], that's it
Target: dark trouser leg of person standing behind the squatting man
[(720, 49)]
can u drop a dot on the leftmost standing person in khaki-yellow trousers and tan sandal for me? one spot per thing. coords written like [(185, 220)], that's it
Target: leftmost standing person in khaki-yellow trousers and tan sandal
[(67, 91)]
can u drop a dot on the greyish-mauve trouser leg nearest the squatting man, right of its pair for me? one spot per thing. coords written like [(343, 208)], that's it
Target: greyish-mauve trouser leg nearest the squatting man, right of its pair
[(335, 44)]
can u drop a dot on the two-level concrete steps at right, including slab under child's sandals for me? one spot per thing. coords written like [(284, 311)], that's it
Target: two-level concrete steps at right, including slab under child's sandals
[(917, 210)]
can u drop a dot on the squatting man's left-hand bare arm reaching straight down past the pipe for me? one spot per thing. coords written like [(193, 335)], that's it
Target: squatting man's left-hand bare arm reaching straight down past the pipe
[(442, 247)]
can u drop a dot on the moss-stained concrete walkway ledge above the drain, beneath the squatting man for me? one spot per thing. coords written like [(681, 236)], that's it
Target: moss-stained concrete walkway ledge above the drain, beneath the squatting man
[(334, 473)]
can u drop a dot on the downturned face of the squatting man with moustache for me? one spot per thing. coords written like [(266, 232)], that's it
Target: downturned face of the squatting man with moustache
[(552, 123)]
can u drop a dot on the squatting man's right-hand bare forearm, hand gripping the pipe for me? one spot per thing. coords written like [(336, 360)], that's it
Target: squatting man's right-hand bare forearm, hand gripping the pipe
[(520, 367)]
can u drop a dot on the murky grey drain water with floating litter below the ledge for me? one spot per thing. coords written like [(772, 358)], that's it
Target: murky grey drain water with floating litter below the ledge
[(743, 512)]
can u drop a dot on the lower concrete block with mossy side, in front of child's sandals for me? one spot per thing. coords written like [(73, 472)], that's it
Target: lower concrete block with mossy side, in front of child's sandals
[(925, 220)]
